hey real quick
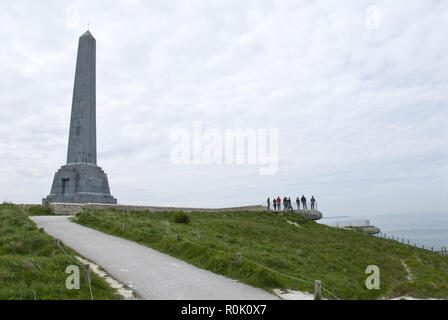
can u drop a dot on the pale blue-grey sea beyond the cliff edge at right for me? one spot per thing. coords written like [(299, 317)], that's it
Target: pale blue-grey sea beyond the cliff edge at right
[(422, 229)]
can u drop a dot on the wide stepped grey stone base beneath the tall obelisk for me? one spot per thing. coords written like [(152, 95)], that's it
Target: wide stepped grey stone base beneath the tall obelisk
[(80, 183)]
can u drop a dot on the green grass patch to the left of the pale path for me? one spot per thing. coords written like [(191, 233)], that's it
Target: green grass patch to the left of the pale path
[(32, 267)]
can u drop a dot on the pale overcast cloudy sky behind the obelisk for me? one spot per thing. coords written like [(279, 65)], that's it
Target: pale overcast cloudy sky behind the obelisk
[(359, 96)]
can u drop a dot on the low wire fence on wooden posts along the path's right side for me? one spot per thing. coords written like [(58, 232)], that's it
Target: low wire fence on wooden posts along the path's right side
[(236, 255)]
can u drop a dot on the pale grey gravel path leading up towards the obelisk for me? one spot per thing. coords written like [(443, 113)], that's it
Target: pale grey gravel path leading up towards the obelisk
[(153, 275)]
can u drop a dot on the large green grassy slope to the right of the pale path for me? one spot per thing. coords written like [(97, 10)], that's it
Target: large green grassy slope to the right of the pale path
[(337, 257)]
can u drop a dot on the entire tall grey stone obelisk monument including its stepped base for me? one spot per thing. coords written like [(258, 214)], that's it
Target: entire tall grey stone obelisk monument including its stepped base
[(81, 180)]
